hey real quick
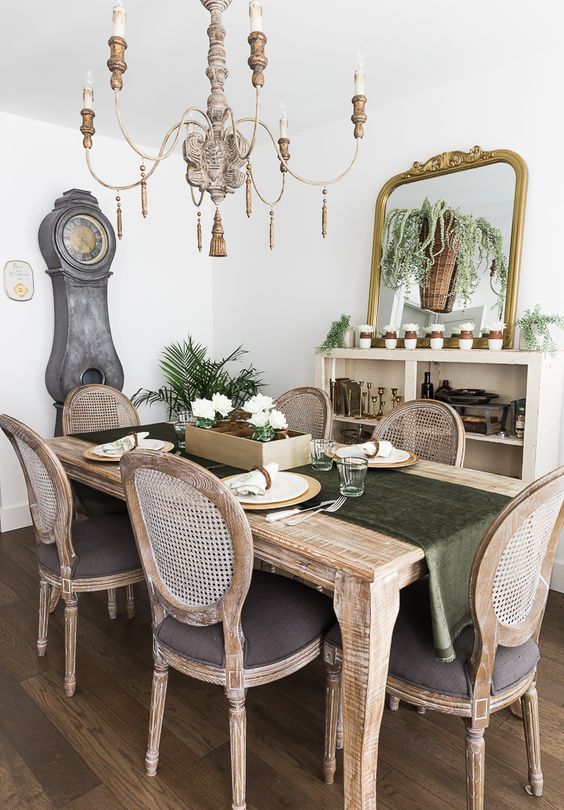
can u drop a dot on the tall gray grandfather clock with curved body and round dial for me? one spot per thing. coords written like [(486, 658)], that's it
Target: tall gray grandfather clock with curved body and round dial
[(78, 244)]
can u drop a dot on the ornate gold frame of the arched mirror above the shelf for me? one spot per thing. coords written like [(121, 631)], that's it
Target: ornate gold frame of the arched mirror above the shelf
[(448, 163)]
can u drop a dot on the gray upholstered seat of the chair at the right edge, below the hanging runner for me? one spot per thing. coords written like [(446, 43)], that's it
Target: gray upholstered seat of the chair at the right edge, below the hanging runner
[(413, 659)]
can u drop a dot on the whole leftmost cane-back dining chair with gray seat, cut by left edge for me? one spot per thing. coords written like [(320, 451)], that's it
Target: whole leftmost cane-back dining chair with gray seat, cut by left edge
[(73, 556)]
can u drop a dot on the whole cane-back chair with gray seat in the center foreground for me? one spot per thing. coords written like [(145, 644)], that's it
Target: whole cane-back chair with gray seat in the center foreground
[(214, 619)]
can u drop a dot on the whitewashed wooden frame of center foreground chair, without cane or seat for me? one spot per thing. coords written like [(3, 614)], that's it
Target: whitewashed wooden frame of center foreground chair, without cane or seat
[(234, 677)]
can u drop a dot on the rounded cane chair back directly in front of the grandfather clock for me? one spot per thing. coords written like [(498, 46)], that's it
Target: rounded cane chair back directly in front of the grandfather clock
[(97, 407)]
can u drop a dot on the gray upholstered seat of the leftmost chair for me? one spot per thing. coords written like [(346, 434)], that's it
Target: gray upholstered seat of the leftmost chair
[(104, 546)]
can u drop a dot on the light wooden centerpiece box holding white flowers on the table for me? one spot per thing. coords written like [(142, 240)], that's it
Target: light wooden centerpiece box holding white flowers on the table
[(229, 442)]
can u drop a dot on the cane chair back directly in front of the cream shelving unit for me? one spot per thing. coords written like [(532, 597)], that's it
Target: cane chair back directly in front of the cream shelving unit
[(431, 429)]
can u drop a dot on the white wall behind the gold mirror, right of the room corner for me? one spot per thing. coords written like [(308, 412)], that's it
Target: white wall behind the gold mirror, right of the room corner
[(286, 299)]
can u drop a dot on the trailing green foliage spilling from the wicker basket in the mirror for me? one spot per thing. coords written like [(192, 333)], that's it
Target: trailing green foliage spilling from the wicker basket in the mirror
[(408, 248)]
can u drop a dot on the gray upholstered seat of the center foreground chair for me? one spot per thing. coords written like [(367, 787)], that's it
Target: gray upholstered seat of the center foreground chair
[(280, 617)]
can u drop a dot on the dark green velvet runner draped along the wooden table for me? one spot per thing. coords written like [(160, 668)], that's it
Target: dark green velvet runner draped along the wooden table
[(446, 520)]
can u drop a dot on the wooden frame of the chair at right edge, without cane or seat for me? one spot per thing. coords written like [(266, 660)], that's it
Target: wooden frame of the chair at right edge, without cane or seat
[(489, 633)]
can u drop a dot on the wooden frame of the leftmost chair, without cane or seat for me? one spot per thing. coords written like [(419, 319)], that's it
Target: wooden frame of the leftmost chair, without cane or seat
[(52, 586)]
